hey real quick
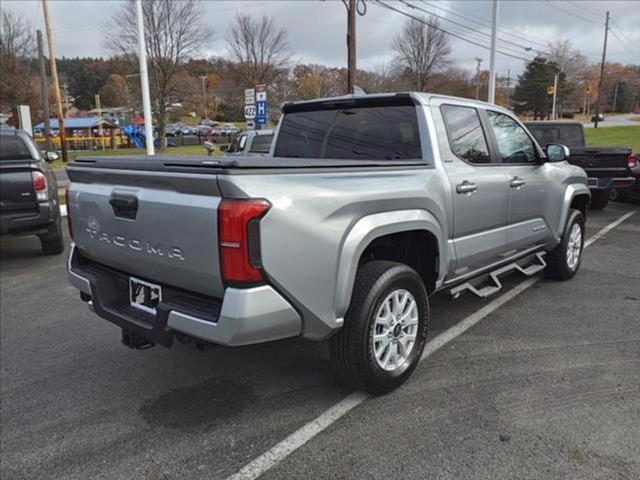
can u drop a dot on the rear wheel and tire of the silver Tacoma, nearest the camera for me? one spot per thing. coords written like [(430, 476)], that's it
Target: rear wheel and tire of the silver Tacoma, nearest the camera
[(385, 328)]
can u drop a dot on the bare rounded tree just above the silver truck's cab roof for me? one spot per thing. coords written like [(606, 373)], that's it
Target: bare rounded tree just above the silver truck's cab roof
[(421, 49)]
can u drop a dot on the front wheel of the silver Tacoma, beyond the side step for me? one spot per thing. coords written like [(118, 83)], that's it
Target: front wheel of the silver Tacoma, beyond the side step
[(564, 261)]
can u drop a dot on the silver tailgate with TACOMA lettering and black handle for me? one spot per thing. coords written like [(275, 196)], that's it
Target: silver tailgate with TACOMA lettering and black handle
[(158, 226)]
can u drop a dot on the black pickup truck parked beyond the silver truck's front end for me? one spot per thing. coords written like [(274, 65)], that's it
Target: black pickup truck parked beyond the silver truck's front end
[(608, 168)]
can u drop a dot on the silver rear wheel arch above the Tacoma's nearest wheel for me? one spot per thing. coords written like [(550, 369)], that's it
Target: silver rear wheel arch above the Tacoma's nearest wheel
[(372, 231)]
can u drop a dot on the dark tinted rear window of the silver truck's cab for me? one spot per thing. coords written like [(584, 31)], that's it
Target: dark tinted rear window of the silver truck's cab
[(358, 133)]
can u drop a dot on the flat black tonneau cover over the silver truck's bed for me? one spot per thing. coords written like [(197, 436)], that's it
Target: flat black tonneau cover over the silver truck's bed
[(205, 164)]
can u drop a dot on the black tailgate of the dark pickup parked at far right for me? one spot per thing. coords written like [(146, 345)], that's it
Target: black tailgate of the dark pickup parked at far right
[(601, 161)]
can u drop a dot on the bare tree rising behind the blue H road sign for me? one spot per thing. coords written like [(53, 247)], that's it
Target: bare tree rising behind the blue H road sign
[(259, 48)]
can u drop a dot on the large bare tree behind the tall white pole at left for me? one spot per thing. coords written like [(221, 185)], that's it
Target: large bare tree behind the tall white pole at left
[(174, 32)]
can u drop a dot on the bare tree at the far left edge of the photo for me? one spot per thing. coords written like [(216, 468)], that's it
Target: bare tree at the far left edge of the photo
[(16, 74)]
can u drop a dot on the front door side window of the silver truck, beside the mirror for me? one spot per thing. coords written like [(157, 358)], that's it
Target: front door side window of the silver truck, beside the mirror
[(514, 145)]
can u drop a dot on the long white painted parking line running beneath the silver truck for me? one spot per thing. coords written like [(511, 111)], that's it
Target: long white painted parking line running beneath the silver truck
[(280, 451)]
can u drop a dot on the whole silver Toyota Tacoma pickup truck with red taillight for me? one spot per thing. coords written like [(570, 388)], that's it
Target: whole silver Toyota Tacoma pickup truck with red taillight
[(366, 206)]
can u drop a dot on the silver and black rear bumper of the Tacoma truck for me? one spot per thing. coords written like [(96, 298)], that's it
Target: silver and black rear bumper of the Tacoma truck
[(242, 317)]
